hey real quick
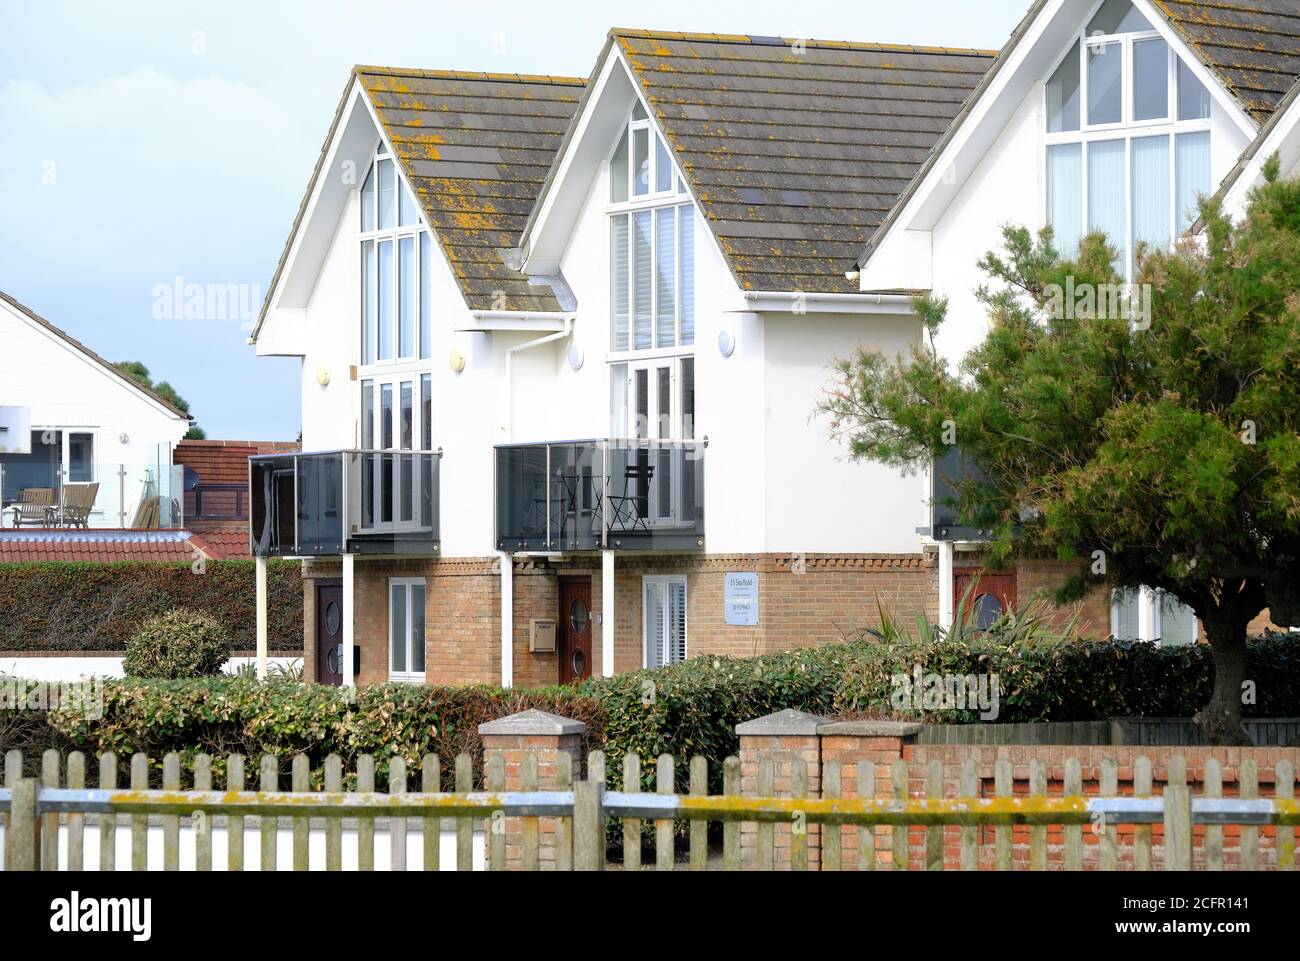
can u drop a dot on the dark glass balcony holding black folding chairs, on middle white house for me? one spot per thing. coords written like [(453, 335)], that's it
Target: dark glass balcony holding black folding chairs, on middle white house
[(601, 495)]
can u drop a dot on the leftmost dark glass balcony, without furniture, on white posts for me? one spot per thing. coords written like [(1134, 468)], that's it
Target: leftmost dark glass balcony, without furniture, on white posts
[(345, 503)]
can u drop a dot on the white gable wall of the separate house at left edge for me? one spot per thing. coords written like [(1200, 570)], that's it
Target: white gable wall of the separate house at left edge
[(67, 391)]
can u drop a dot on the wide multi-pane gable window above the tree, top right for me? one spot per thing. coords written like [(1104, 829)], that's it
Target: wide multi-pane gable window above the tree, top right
[(1128, 138)]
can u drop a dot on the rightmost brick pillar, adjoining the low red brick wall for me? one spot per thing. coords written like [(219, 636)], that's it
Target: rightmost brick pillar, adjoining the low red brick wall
[(852, 743)]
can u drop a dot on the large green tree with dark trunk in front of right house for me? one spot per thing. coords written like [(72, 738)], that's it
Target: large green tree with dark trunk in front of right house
[(1159, 447)]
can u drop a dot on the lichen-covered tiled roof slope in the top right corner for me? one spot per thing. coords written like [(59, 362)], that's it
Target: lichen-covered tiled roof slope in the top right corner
[(1253, 46)]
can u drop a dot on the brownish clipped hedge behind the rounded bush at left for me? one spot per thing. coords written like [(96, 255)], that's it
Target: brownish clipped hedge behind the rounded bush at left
[(99, 608)]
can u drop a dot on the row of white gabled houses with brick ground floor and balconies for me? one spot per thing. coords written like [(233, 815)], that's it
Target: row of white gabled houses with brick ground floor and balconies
[(561, 340)]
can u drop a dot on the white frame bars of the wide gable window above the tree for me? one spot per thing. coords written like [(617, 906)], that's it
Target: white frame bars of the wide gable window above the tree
[(1128, 129)]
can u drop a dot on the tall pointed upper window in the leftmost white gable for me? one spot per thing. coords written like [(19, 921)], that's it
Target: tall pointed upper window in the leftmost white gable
[(397, 254)]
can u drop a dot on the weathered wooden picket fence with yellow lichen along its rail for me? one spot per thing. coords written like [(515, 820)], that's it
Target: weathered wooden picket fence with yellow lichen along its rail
[(40, 811)]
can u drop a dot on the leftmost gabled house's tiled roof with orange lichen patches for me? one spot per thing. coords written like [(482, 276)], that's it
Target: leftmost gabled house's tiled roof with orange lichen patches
[(476, 149)]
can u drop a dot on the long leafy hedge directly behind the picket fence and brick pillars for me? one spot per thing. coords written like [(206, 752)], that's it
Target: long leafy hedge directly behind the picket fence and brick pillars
[(684, 711)]
